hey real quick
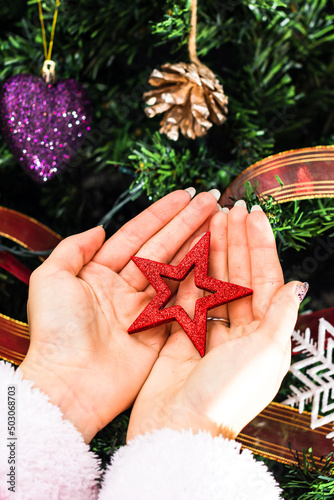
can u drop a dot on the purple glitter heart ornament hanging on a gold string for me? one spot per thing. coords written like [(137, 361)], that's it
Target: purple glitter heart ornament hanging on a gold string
[(43, 124)]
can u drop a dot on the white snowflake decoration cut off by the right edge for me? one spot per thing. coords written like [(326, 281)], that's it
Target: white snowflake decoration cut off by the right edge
[(316, 372)]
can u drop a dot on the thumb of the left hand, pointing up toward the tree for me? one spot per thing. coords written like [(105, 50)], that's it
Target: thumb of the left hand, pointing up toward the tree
[(74, 252)]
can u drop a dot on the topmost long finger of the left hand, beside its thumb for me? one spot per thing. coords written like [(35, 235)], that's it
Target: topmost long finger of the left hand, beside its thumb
[(119, 249)]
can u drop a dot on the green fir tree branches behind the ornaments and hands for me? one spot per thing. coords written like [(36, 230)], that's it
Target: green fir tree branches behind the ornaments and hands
[(275, 61)]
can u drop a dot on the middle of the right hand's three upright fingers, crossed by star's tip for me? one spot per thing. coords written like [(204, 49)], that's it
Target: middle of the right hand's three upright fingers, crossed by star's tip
[(239, 264)]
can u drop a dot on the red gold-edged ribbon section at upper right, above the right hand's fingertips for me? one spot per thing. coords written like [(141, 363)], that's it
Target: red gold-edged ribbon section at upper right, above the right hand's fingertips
[(298, 174)]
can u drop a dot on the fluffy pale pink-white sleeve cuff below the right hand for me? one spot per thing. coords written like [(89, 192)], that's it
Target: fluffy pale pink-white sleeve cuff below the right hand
[(176, 465)]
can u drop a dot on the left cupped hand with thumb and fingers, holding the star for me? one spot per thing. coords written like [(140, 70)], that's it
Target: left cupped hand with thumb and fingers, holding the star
[(83, 299)]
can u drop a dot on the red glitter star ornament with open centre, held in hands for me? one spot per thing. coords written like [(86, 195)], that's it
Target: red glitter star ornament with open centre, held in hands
[(154, 313)]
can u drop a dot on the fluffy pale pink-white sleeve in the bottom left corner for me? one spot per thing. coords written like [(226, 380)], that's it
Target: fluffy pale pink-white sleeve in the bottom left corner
[(51, 459)]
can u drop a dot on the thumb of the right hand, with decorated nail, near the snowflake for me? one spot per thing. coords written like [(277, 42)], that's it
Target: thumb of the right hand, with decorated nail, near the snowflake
[(281, 316)]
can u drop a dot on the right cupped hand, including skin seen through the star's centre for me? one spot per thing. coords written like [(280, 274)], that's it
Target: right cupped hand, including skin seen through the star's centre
[(245, 363)]
